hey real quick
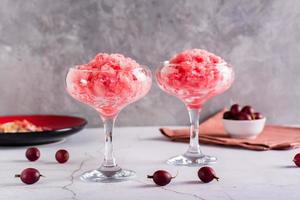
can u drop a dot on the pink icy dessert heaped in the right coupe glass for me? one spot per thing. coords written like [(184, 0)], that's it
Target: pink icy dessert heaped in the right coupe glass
[(194, 76)]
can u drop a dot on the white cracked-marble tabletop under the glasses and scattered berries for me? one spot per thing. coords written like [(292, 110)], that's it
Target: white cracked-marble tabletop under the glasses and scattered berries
[(244, 174)]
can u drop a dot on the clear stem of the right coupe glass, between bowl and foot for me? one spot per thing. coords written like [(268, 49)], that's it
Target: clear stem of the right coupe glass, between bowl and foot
[(194, 148)]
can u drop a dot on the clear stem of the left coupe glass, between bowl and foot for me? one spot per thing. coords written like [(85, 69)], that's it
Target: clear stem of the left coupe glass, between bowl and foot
[(109, 159)]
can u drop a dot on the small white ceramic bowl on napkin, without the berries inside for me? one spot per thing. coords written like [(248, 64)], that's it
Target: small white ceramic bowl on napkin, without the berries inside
[(244, 128)]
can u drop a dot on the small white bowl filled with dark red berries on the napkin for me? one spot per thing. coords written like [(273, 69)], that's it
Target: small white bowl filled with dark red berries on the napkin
[(243, 122)]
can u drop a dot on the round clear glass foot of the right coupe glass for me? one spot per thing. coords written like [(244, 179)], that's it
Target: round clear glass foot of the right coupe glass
[(194, 160)]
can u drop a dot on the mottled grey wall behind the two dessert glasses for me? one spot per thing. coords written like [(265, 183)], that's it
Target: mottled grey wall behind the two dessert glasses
[(41, 39)]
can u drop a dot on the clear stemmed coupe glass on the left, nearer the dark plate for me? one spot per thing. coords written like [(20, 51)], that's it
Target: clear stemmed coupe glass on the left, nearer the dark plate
[(108, 92)]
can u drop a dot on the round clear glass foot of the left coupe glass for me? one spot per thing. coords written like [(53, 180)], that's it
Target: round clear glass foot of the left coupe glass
[(100, 175)]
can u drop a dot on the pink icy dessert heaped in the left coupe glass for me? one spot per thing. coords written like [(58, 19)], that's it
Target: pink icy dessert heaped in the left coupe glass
[(108, 83)]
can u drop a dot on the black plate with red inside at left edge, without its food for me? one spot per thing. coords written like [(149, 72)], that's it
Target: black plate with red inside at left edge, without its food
[(61, 127)]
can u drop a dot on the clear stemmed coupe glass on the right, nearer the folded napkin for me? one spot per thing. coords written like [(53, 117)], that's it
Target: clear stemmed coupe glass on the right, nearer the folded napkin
[(194, 84)]
